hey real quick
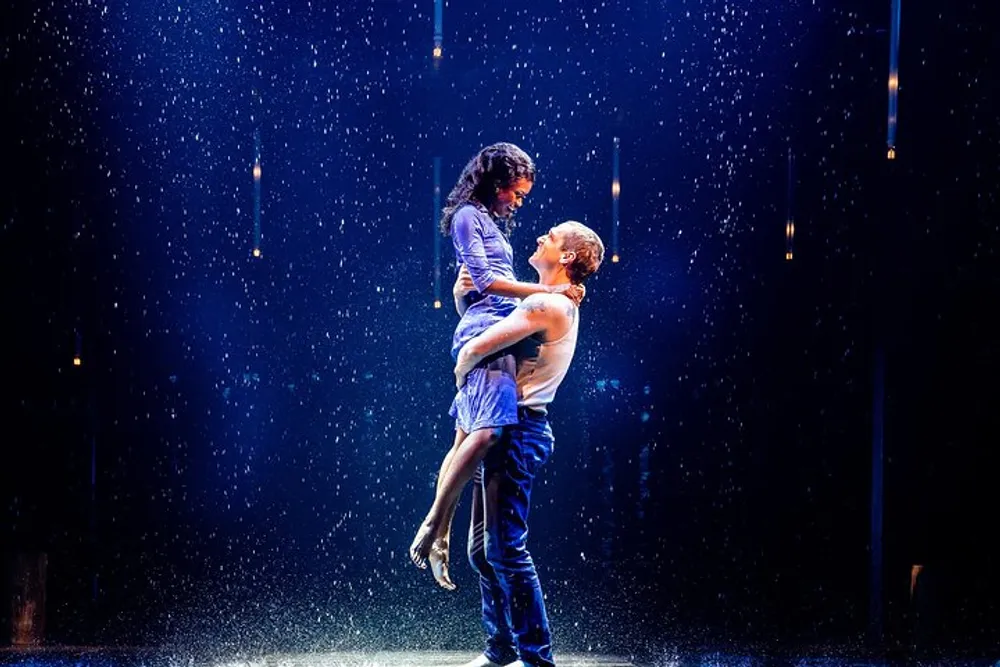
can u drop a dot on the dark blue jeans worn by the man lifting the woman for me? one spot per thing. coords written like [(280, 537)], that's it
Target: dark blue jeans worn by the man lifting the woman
[(513, 609)]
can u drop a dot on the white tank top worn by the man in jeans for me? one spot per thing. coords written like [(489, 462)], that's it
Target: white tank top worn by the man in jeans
[(542, 366)]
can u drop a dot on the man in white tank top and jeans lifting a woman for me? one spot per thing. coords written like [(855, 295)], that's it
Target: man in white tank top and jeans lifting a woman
[(543, 330)]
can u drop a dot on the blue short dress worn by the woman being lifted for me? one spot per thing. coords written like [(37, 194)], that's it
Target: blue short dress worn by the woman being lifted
[(489, 397)]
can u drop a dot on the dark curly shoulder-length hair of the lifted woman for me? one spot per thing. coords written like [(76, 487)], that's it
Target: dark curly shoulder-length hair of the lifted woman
[(496, 166)]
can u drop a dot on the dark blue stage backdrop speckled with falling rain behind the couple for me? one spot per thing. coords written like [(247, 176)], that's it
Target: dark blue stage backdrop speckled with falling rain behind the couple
[(268, 430)]
